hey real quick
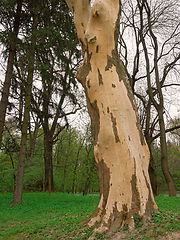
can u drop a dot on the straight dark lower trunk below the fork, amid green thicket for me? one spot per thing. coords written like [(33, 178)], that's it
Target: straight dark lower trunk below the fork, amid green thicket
[(48, 146)]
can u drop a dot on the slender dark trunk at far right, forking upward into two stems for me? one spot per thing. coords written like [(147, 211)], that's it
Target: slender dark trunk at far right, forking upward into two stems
[(159, 101)]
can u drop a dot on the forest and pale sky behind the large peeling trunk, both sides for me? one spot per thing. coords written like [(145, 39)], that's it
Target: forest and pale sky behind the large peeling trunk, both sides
[(44, 107)]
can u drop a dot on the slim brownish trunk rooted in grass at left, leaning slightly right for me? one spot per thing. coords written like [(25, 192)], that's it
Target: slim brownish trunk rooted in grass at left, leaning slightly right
[(20, 173)]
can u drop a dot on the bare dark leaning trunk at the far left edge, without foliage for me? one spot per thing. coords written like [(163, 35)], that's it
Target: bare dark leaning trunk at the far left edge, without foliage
[(7, 82)]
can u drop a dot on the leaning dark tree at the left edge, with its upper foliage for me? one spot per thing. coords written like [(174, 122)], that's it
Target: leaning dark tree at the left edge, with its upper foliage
[(8, 11)]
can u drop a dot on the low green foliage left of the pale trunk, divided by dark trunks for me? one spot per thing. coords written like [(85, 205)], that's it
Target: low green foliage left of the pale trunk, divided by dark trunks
[(73, 164)]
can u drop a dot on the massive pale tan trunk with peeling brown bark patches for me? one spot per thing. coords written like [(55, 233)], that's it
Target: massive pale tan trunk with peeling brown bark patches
[(120, 150)]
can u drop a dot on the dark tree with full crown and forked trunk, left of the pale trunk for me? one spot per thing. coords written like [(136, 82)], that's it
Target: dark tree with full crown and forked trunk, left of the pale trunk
[(57, 61)]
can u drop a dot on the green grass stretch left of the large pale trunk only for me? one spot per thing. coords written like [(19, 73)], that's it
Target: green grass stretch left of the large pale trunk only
[(45, 217)]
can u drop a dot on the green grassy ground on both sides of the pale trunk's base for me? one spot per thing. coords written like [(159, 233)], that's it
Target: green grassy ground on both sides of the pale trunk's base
[(58, 216)]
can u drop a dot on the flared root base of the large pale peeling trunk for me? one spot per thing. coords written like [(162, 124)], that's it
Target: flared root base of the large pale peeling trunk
[(107, 218)]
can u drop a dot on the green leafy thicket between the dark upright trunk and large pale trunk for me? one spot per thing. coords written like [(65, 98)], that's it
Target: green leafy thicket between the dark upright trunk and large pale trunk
[(74, 163)]
